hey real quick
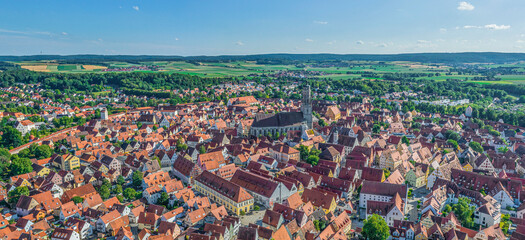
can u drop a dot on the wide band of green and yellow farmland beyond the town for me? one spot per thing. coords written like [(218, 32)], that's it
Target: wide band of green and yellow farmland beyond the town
[(324, 70)]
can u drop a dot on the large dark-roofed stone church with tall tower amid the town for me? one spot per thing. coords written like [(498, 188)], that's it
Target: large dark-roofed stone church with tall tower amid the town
[(285, 121)]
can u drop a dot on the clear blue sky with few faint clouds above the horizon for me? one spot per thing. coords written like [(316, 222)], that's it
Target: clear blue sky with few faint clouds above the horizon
[(198, 27)]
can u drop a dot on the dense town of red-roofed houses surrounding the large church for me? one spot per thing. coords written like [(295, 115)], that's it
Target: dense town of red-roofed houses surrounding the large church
[(252, 168)]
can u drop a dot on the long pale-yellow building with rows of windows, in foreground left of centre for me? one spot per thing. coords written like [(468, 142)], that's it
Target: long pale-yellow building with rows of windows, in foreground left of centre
[(223, 192)]
